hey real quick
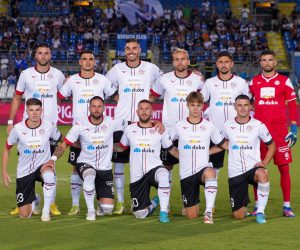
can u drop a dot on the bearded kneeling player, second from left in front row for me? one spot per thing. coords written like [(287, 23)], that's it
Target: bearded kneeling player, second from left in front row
[(95, 133)]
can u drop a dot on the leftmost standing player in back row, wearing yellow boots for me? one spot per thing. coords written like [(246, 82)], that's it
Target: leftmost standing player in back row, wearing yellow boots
[(41, 82)]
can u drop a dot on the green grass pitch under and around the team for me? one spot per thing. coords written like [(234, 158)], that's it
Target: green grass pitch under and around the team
[(126, 232)]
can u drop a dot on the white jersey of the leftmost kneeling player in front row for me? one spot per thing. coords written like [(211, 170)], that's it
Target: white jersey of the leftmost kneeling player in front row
[(33, 145)]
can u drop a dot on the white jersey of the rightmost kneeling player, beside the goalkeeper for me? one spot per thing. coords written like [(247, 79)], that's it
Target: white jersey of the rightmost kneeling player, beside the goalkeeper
[(244, 144)]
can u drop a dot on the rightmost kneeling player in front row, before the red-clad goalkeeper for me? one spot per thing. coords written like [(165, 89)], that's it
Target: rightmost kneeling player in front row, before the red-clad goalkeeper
[(244, 163)]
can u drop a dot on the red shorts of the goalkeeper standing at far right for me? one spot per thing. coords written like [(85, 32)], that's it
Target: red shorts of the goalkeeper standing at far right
[(283, 154)]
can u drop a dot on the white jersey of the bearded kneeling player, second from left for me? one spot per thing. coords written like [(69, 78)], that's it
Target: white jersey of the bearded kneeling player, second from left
[(96, 142)]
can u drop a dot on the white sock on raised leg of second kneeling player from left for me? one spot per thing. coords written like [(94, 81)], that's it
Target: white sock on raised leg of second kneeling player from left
[(89, 192)]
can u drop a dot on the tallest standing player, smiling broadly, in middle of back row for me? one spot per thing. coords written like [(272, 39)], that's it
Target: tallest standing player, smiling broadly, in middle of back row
[(133, 79)]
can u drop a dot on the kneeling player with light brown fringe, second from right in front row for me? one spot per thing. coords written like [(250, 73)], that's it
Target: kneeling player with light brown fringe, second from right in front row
[(194, 135)]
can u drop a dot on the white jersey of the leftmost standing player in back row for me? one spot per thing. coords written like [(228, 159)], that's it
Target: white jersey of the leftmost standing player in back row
[(43, 86)]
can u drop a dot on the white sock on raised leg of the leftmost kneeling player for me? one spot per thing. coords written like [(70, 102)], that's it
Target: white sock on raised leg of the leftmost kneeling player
[(48, 190)]
